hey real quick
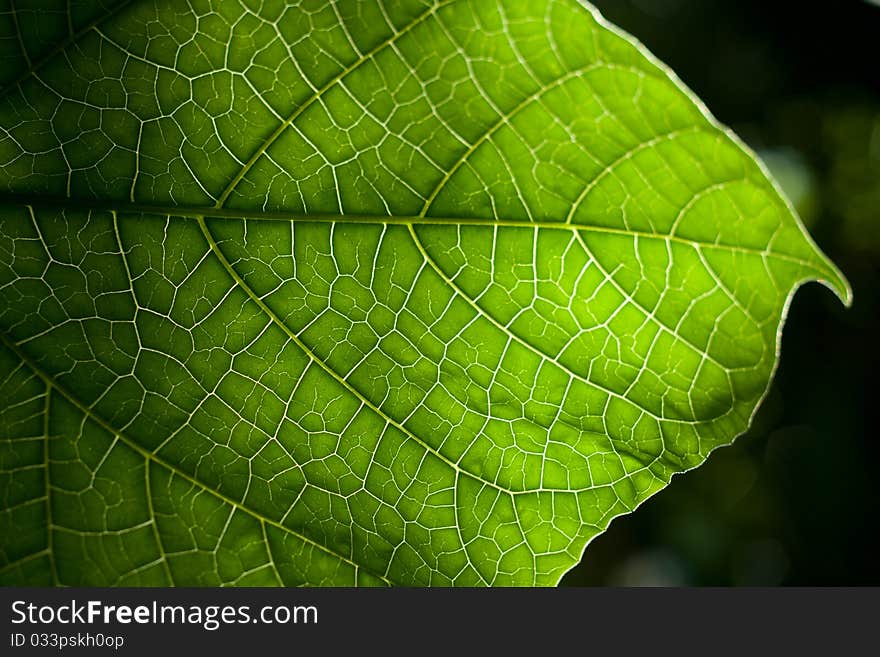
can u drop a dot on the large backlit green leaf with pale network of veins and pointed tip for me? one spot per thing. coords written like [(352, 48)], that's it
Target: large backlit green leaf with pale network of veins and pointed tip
[(363, 292)]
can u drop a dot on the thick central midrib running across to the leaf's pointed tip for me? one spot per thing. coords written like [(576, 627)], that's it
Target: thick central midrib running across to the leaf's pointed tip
[(123, 208)]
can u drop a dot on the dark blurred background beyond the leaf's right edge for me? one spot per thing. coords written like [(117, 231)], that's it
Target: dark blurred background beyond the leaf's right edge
[(796, 500)]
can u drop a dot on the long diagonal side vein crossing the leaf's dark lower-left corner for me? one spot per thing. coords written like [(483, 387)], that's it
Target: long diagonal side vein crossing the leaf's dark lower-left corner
[(158, 460)]
